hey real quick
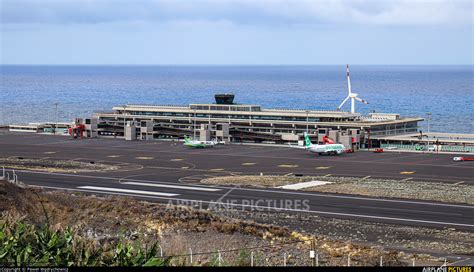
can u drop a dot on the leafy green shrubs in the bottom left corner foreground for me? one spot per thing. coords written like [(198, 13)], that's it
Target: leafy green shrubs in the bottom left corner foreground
[(23, 244)]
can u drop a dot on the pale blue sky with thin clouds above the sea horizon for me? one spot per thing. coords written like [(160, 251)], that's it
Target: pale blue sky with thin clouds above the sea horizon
[(238, 32)]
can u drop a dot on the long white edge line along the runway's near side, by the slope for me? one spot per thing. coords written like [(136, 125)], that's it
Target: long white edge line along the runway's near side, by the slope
[(275, 208)]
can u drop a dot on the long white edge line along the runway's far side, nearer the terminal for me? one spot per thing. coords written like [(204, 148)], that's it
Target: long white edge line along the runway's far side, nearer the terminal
[(259, 190)]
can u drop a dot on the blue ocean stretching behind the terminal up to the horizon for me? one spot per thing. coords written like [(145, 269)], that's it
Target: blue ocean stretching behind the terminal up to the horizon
[(29, 93)]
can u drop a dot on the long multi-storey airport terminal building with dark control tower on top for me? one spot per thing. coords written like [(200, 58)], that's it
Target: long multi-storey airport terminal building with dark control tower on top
[(226, 121)]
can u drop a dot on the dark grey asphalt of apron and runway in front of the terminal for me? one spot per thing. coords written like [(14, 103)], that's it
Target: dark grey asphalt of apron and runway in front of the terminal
[(168, 171)]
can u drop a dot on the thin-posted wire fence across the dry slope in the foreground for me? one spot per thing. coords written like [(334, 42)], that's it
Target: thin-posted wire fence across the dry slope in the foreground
[(255, 257)]
